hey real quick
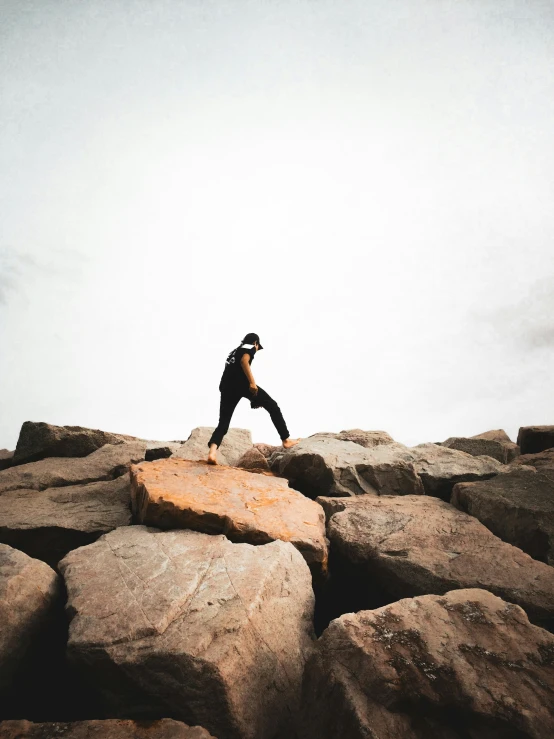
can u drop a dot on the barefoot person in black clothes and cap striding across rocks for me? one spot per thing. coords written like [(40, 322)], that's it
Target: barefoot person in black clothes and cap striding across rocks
[(238, 382)]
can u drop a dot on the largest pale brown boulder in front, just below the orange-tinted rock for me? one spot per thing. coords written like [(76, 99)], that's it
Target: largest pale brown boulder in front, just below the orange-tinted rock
[(193, 627)]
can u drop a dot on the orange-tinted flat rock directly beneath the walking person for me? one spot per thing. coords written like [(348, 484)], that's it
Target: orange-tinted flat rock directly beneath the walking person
[(177, 493)]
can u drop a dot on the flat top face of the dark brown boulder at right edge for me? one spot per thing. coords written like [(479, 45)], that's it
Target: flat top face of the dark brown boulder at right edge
[(534, 492)]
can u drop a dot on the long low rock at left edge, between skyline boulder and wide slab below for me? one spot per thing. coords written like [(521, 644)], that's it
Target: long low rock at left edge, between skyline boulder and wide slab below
[(106, 463)]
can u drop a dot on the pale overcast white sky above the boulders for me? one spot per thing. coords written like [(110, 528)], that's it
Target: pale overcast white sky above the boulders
[(366, 184)]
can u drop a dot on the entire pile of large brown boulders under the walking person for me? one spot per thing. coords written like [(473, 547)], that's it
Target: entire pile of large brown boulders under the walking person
[(349, 586)]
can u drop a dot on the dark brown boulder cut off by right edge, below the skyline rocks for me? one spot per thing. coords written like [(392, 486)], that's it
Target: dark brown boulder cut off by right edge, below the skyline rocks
[(517, 507)]
